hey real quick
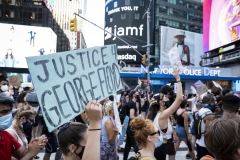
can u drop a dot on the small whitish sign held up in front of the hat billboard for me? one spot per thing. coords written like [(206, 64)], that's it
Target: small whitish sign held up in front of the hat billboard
[(175, 59)]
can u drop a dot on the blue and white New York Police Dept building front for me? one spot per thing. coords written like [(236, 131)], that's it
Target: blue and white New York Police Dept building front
[(190, 75)]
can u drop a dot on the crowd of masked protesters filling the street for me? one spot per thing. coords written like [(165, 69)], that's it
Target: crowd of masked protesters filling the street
[(157, 123)]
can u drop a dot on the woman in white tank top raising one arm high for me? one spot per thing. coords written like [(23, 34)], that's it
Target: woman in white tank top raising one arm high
[(160, 115)]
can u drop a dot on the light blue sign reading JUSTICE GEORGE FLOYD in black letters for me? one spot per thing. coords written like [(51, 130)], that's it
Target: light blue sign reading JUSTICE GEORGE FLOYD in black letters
[(66, 81)]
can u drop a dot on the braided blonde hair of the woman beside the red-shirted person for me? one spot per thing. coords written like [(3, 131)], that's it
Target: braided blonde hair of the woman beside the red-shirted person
[(26, 111)]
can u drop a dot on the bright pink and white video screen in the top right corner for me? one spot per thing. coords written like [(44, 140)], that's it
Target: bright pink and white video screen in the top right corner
[(221, 23)]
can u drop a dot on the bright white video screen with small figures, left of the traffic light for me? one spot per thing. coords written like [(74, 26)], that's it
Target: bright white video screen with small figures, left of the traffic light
[(19, 41)]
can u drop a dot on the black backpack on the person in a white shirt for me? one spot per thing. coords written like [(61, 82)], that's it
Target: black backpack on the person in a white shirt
[(197, 123)]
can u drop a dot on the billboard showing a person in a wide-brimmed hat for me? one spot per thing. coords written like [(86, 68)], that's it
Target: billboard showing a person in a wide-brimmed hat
[(189, 44)]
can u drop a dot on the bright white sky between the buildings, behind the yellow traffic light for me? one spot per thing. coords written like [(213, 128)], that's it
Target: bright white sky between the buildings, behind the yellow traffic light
[(95, 13)]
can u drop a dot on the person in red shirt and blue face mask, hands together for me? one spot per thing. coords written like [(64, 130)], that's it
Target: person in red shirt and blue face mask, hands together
[(8, 145)]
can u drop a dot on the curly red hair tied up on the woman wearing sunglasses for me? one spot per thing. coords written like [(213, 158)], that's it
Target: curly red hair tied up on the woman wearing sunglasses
[(143, 128)]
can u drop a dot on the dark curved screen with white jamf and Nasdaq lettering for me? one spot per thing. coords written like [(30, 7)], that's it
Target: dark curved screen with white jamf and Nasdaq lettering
[(124, 19)]
